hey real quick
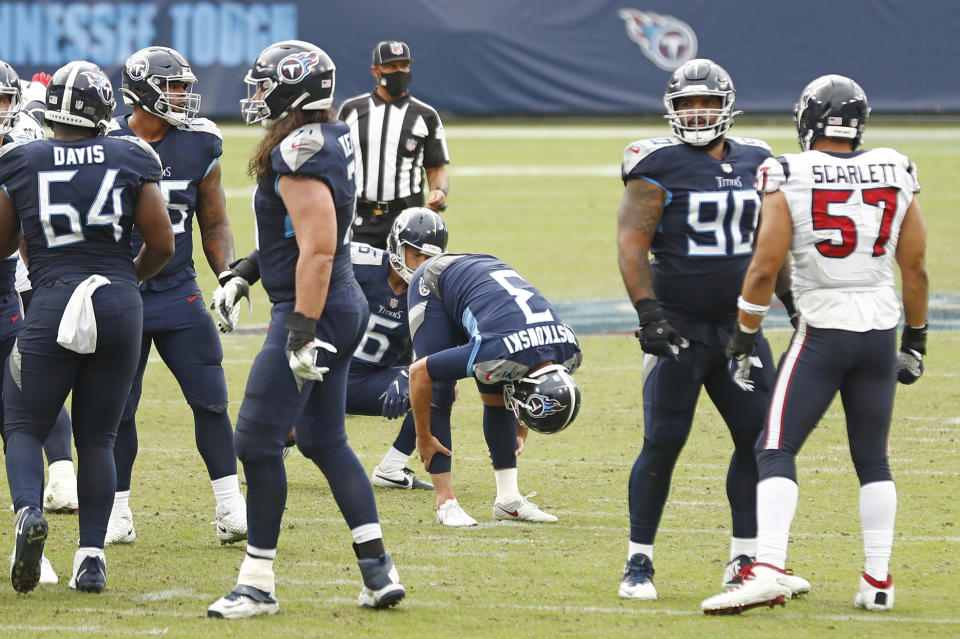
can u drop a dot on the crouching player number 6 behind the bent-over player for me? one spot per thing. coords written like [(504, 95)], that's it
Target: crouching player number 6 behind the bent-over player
[(379, 379)]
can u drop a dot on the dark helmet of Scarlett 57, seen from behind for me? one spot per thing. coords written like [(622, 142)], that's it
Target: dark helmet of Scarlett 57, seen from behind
[(832, 106)]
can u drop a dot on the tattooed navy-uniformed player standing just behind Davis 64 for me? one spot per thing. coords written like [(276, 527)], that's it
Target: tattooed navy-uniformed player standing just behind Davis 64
[(158, 83)]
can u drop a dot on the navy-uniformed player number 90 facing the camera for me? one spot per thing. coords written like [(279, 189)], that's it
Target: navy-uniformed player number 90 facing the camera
[(689, 201)]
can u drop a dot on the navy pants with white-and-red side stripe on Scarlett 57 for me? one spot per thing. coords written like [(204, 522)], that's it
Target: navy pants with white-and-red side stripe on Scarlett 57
[(819, 363)]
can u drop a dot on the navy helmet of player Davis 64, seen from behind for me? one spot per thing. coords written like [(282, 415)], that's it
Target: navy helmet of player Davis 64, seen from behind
[(80, 94)]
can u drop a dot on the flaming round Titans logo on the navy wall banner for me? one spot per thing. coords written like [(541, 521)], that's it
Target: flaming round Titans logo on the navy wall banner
[(665, 40)]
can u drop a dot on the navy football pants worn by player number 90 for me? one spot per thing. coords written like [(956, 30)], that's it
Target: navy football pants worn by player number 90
[(670, 392)]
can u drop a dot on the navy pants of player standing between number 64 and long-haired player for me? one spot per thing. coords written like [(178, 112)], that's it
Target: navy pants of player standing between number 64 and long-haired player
[(178, 324)]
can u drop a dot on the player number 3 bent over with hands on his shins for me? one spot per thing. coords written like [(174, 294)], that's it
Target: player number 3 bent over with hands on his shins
[(474, 316)]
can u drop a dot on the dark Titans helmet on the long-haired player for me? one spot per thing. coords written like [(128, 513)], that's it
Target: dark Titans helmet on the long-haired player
[(288, 75)]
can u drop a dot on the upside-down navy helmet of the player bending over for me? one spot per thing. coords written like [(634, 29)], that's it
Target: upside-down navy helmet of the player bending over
[(546, 401)]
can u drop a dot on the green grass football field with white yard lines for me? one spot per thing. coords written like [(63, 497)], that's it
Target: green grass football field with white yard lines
[(543, 199)]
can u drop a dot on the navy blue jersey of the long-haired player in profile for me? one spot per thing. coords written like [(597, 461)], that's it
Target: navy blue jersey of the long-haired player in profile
[(322, 152)]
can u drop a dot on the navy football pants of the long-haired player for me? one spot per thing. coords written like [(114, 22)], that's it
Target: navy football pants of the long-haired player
[(272, 405)]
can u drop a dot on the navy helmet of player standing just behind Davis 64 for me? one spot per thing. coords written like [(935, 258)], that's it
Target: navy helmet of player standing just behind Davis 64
[(145, 80)]
